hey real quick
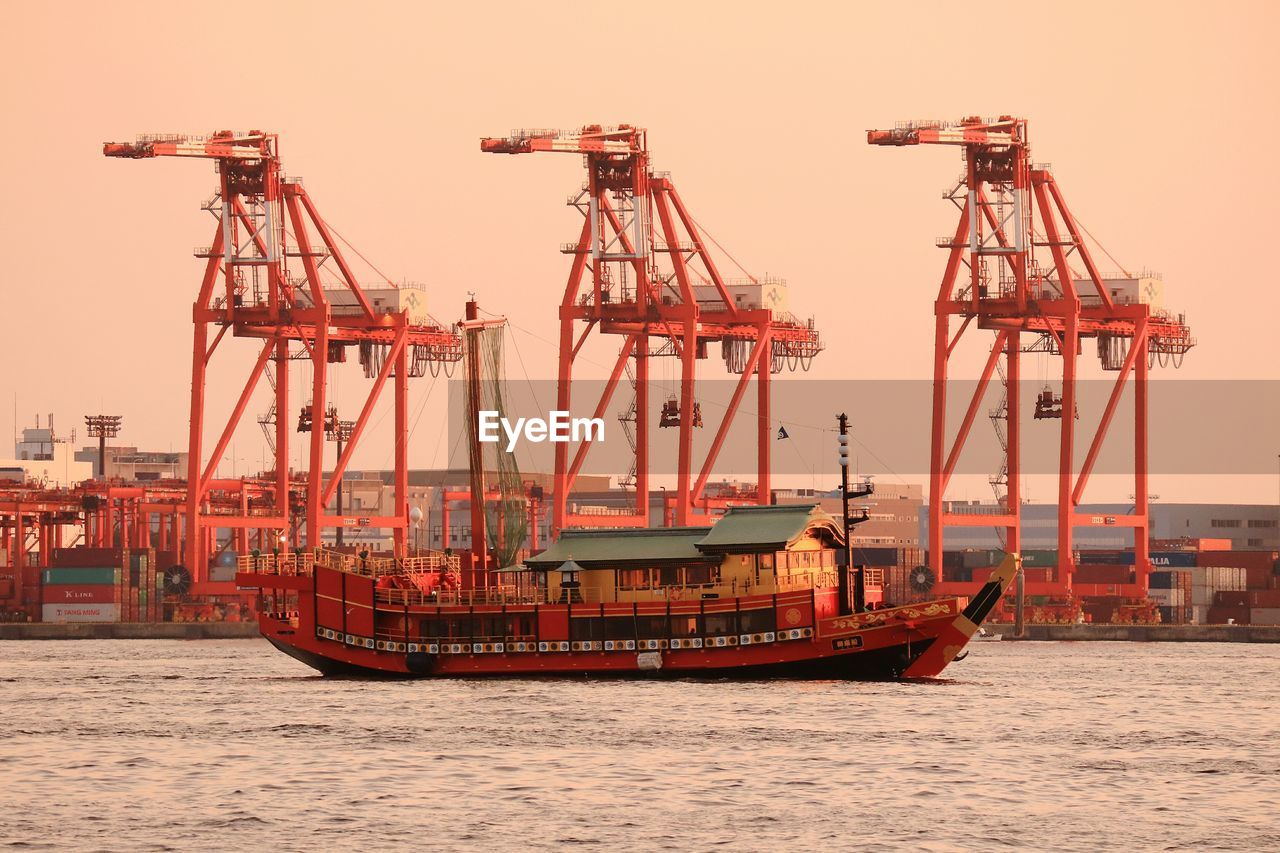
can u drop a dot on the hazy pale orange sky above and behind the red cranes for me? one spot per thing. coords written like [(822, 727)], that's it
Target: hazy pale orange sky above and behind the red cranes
[(1159, 120)]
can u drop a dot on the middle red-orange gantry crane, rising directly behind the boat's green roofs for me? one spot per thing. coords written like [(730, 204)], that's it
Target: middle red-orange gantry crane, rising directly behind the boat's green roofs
[(646, 284)]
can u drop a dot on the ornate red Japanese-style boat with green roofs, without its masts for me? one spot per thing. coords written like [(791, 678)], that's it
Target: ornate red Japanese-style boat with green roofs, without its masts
[(758, 595)]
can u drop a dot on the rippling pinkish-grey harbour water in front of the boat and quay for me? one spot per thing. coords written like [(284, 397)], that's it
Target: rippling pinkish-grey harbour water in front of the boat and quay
[(149, 745)]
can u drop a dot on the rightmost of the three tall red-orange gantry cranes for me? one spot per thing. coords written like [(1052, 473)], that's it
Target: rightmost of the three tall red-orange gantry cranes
[(1009, 209)]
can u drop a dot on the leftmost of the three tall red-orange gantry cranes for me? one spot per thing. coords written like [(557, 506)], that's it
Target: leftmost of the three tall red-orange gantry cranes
[(263, 281)]
